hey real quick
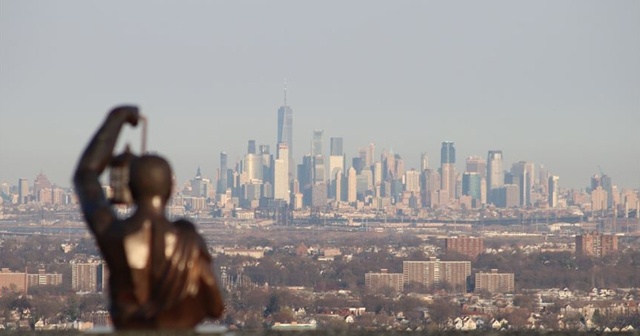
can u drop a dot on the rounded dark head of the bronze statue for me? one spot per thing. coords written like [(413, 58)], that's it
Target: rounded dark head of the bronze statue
[(150, 176)]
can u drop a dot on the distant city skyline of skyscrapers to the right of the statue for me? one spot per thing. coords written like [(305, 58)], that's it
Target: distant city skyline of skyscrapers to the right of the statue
[(328, 180)]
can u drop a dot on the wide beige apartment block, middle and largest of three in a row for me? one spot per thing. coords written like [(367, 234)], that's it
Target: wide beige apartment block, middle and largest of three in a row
[(435, 273)]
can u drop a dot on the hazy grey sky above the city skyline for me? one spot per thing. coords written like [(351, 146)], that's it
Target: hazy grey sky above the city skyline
[(553, 82)]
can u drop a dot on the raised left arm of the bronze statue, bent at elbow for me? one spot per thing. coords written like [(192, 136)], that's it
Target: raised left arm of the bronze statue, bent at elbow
[(94, 160)]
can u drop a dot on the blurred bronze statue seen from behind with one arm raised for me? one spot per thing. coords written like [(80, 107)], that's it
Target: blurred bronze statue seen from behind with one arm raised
[(161, 273)]
